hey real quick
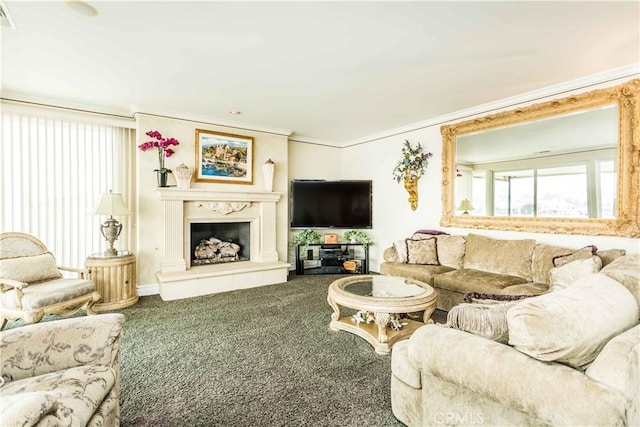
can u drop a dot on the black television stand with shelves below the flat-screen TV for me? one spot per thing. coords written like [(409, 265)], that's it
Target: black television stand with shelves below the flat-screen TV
[(340, 258)]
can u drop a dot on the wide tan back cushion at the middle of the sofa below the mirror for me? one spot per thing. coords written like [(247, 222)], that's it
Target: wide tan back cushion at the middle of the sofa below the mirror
[(510, 257)]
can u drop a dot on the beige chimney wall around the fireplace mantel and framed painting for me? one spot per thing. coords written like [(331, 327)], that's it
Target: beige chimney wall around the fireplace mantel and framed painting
[(149, 219)]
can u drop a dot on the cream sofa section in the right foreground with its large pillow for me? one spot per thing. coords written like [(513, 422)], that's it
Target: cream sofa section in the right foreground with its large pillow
[(571, 358)]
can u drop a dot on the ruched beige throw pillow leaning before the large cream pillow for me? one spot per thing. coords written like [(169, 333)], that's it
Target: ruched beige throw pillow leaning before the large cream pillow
[(486, 320)]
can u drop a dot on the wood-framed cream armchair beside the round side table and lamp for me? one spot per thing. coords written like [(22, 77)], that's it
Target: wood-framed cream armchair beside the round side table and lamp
[(32, 285)]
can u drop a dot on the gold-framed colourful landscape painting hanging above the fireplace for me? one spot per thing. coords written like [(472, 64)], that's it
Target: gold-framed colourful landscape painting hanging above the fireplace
[(223, 157)]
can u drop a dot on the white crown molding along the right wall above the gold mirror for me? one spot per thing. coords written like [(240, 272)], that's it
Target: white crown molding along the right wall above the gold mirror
[(608, 78)]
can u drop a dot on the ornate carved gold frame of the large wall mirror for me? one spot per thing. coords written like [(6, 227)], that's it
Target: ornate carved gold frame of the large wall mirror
[(627, 97)]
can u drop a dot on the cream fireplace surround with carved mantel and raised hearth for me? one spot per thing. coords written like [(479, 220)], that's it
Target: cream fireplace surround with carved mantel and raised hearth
[(184, 207)]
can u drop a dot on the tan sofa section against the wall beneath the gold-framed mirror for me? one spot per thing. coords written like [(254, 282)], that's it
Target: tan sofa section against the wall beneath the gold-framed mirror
[(456, 265)]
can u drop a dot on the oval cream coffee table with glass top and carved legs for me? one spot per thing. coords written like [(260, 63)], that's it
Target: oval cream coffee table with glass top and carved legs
[(381, 296)]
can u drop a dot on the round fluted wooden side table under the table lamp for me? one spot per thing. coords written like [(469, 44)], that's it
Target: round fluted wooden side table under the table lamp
[(115, 279)]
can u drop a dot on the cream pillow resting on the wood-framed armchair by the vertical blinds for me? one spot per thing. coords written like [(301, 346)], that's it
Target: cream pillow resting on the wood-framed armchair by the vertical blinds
[(30, 269)]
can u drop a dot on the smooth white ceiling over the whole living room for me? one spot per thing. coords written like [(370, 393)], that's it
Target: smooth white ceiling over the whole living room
[(328, 71)]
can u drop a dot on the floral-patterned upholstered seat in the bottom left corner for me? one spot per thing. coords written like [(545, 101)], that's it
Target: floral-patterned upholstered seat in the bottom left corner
[(62, 373)]
